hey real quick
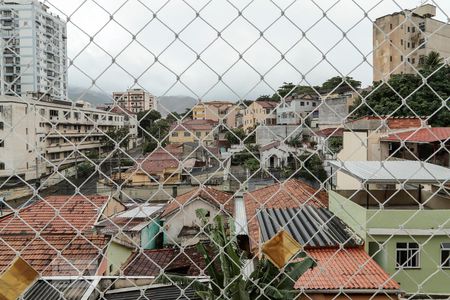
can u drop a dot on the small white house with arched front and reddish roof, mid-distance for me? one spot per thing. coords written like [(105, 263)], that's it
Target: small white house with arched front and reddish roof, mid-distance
[(276, 155)]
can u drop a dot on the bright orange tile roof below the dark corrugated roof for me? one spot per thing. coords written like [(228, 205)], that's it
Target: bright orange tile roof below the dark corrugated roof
[(340, 268)]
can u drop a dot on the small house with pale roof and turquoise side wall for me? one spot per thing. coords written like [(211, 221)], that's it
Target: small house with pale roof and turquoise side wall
[(138, 226)]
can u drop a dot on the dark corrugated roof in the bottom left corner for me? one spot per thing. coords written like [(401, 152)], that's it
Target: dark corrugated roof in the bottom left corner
[(57, 290)]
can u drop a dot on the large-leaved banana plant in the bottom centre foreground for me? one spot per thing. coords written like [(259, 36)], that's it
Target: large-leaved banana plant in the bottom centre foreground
[(225, 269)]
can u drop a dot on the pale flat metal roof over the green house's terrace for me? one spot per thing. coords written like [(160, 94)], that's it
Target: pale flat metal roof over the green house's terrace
[(393, 171)]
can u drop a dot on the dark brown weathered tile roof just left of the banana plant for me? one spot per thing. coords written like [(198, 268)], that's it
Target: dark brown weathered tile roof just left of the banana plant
[(171, 260)]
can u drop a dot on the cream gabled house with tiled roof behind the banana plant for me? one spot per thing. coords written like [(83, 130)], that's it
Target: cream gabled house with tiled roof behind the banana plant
[(180, 222)]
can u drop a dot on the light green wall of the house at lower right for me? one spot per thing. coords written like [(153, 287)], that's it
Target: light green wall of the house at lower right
[(428, 278)]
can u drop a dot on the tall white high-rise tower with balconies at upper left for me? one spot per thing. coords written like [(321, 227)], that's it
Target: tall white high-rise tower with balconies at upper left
[(33, 52)]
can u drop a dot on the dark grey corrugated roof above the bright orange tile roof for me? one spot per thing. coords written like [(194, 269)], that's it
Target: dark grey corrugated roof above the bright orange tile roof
[(310, 226)]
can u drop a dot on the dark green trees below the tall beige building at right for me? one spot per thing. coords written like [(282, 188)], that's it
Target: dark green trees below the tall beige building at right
[(420, 99)]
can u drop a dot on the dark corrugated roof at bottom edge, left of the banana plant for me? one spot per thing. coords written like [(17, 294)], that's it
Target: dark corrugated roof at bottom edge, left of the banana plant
[(153, 293)]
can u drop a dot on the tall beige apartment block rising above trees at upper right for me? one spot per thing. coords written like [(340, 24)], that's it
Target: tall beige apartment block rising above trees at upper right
[(401, 39)]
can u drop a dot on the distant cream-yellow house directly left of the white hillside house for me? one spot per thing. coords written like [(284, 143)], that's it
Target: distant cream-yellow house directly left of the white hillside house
[(259, 112)]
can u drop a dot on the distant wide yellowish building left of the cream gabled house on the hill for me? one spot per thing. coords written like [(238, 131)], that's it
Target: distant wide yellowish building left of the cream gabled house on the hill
[(216, 111)]
